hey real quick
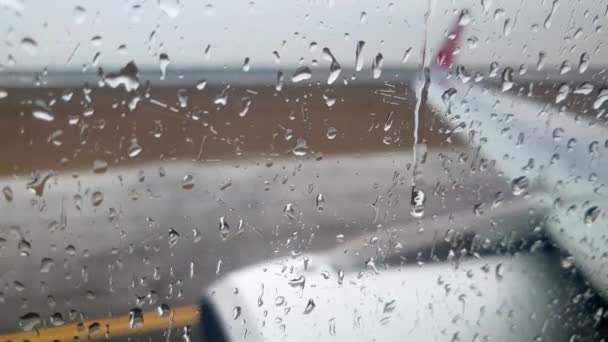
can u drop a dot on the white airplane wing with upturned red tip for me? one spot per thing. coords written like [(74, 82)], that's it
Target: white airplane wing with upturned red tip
[(535, 145)]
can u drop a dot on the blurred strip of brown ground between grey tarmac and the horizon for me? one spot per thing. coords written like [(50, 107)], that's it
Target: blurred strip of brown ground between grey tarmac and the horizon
[(204, 130)]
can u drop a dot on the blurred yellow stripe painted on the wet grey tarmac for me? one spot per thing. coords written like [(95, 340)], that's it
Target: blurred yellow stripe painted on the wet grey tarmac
[(108, 327)]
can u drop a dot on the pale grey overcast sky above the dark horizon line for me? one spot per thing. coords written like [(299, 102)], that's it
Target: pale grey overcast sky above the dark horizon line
[(237, 29)]
